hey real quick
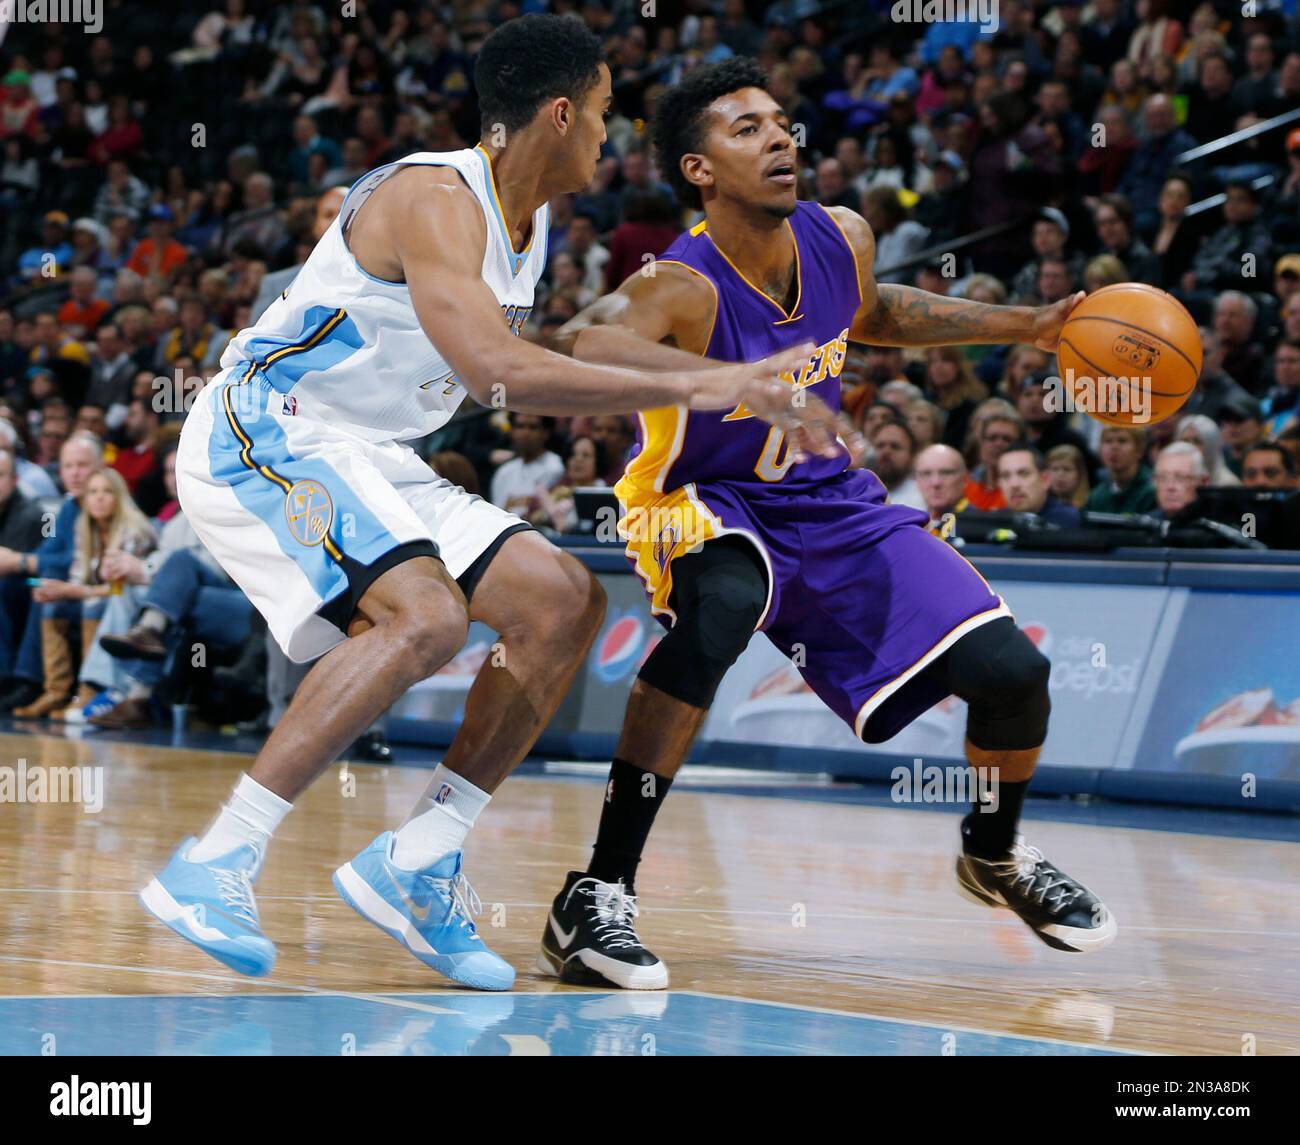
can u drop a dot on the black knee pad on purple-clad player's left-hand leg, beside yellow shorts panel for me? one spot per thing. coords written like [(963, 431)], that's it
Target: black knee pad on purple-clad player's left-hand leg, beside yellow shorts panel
[(718, 595)]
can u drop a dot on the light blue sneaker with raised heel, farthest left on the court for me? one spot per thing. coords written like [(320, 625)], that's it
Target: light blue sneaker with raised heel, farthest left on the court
[(213, 905)]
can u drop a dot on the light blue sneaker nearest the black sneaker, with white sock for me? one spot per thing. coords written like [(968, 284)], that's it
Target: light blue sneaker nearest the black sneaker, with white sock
[(430, 912)]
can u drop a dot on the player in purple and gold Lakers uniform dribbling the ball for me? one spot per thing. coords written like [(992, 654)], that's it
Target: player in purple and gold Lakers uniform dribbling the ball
[(735, 532)]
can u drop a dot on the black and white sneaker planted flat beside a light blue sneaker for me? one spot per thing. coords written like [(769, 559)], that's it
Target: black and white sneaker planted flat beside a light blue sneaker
[(591, 940)]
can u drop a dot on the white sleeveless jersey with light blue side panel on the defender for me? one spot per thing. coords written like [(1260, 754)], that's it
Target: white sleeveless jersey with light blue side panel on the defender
[(348, 349)]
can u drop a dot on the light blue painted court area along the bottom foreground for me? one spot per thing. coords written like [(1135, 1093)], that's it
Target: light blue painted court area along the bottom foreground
[(462, 1023)]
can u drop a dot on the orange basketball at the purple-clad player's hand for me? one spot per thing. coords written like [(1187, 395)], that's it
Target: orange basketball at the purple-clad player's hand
[(1130, 355)]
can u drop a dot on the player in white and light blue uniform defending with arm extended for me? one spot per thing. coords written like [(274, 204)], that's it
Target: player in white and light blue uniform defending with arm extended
[(293, 472)]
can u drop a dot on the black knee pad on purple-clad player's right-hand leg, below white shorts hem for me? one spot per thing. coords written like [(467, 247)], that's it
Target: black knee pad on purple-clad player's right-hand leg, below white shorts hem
[(1004, 682)]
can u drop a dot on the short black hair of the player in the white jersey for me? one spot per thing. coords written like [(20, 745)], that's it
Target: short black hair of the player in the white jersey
[(531, 60)]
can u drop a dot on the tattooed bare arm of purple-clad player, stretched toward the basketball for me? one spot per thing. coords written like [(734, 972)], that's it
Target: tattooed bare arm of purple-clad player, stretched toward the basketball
[(905, 316)]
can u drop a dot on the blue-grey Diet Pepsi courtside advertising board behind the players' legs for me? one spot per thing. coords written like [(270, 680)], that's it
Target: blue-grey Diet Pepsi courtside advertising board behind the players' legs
[(1163, 680)]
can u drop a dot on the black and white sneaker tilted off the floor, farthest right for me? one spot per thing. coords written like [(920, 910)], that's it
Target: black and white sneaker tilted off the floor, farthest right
[(1061, 912)]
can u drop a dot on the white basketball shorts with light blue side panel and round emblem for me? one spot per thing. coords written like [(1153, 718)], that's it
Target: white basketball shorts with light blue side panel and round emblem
[(288, 505)]
